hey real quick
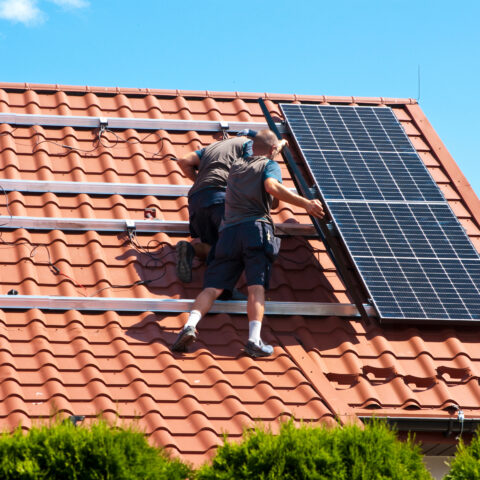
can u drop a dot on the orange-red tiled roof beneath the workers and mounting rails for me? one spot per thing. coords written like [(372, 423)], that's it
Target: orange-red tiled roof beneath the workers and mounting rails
[(119, 363)]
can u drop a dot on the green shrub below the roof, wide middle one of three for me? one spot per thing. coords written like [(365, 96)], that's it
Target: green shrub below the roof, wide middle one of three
[(343, 453)]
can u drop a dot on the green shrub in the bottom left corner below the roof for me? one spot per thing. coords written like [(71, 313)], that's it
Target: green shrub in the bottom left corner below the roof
[(99, 451)]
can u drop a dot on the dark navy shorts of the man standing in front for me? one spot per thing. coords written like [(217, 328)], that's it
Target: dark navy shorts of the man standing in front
[(250, 246)]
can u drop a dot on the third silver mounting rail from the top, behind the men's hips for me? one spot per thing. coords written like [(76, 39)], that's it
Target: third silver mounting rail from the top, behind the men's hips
[(114, 225)]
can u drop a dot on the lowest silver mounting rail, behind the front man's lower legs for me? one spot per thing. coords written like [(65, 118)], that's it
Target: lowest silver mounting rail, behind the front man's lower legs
[(173, 305)]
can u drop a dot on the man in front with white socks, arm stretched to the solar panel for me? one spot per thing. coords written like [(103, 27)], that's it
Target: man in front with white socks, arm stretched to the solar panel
[(247, 241)]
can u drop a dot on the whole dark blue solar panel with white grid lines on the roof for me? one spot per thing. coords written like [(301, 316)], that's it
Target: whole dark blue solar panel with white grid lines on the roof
[(414, 257)]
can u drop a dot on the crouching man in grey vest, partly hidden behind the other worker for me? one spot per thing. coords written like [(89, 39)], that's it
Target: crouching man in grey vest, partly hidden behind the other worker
[(208, 168)]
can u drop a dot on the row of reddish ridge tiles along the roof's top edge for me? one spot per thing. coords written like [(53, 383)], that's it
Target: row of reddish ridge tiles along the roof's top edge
[(205, 93)]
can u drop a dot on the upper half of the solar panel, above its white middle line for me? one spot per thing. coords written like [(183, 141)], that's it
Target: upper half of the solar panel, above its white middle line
[(361, 157)]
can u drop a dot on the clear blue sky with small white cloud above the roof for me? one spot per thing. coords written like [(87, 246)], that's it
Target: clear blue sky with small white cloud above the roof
[(360, 48)]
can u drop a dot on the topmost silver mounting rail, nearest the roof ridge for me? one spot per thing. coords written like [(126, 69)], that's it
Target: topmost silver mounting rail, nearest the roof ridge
[(121, 123)]
